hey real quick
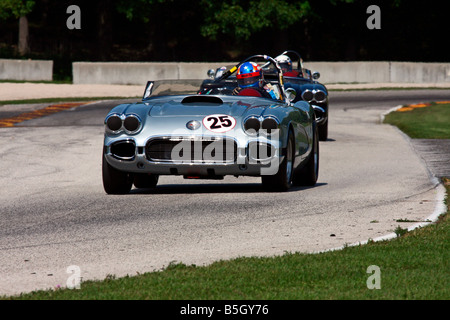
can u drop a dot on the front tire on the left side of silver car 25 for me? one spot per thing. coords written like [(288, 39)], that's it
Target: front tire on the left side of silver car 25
[(115, 181)]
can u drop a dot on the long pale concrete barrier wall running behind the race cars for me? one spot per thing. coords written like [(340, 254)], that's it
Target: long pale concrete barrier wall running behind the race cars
[(331, 72)]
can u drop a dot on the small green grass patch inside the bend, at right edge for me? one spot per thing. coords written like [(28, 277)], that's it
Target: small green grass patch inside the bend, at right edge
[(431, 122)]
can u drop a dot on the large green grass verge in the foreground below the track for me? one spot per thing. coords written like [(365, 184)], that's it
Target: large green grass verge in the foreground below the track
[(413, 266)]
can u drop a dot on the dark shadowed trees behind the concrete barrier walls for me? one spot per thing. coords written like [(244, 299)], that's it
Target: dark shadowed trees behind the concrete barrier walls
[(226, 30)]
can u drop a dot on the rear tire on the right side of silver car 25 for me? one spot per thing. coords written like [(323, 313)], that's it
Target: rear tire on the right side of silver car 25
[(308, 174)]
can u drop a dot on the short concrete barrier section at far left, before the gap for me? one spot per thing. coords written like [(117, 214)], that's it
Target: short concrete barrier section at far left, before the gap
[(26, 70)]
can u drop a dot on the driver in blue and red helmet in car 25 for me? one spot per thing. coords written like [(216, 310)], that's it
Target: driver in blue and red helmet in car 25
[(250, 76)]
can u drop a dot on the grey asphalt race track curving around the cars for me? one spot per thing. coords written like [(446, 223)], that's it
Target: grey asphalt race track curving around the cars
[(55, 214)]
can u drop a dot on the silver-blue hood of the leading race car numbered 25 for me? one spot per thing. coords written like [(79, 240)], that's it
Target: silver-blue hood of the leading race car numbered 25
[(171, 116)]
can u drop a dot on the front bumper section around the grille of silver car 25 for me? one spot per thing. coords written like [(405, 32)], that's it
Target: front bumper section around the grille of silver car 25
[(256, 158)]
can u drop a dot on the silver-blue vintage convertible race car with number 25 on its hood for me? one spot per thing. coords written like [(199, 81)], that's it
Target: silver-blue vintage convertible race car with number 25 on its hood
[(209, 133)]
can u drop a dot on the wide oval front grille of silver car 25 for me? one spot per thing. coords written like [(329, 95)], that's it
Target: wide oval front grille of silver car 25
[(192, 151)]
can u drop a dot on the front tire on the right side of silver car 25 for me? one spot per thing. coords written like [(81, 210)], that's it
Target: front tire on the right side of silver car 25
[(282, 180)]
